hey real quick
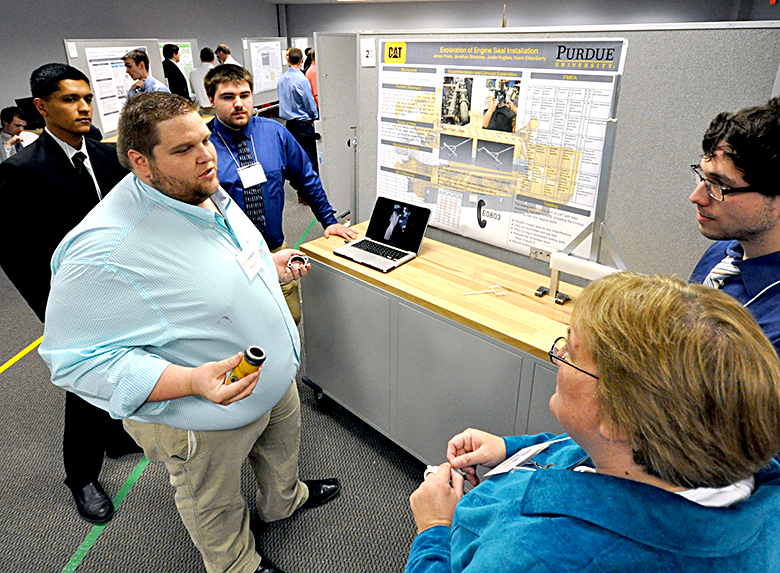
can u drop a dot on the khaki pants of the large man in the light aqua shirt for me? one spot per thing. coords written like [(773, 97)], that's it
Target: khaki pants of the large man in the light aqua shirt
[(205, 470)]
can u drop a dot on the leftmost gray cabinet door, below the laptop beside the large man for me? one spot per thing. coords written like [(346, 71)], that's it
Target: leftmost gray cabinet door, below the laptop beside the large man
[(347, 341)]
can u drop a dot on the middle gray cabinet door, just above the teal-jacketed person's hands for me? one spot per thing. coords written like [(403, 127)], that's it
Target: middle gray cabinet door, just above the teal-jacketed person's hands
[(450, 378)]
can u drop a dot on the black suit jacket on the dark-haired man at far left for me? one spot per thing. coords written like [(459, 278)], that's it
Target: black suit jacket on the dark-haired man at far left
[(43, 202)]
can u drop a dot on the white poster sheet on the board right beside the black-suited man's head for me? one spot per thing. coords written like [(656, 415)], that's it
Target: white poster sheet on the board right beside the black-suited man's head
[(110, 83)]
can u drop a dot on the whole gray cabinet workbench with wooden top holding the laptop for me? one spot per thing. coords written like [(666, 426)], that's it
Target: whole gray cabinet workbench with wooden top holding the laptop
[(417, 359)]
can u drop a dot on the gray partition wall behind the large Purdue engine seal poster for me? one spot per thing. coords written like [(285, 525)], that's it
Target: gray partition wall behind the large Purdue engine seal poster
[(676, 79)]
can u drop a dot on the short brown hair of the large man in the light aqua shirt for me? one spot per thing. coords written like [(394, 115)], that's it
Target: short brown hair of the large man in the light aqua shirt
[(139, 120)]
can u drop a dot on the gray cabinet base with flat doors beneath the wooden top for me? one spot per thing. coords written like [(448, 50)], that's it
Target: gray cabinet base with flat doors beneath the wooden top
[(413, 374)]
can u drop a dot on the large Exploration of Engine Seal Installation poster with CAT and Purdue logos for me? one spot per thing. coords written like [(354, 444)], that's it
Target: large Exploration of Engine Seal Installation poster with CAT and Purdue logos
[(504, 141)]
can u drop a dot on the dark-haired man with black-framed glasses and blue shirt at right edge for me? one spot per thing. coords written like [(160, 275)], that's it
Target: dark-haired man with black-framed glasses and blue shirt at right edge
[(737, 200)]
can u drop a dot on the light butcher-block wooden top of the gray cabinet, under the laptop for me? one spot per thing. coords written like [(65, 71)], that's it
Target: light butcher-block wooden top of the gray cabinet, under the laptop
[(437, 278)]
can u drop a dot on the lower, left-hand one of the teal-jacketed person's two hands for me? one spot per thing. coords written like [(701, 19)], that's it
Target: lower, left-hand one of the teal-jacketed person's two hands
[(434, 501)]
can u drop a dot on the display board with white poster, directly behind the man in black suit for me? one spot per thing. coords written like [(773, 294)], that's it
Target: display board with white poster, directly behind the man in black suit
[(101, 61)]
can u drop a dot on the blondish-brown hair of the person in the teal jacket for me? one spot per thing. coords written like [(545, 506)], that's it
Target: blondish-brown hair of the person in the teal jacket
[(686, 373)]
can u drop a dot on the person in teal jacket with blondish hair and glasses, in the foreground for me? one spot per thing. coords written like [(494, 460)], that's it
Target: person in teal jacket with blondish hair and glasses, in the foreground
[(669, 394)]
